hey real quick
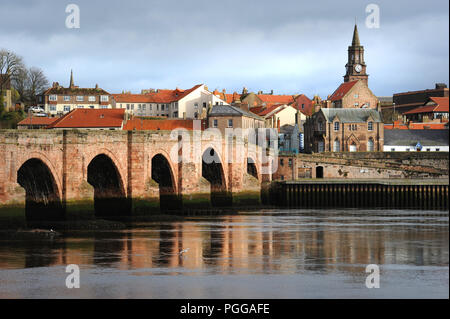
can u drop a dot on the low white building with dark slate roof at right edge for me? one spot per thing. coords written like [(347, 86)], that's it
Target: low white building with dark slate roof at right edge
[(415, 140)]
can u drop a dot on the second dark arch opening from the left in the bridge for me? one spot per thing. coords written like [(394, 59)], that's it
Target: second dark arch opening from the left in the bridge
[(109, 192)]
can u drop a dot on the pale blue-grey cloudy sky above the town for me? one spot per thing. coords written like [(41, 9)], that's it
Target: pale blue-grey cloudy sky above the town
[(290, 46)]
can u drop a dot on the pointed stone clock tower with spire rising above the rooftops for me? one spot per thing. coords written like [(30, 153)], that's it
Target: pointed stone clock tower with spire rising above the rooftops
[(356, 67)]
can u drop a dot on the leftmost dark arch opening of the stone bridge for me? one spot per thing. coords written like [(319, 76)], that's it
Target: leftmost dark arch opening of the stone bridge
[(42, 194)]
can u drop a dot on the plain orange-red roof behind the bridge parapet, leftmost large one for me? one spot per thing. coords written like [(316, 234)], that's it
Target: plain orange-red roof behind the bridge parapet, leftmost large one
[(90, 118)]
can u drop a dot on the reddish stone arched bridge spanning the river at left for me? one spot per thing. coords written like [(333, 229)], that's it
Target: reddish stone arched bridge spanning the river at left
[(69, 173)]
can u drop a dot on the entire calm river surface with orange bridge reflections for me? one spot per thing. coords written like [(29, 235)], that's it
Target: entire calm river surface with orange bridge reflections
[(264, 254)]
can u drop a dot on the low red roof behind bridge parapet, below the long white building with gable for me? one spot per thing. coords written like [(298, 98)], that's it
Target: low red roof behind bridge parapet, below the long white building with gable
[(163, 125)]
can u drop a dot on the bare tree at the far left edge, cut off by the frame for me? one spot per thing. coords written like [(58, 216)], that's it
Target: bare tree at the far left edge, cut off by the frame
[(10, 66)]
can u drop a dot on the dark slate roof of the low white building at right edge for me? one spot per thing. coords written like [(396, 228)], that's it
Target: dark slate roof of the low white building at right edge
[(412, 137)]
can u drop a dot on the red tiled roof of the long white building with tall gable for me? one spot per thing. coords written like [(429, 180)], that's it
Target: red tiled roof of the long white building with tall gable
[(162, 96)]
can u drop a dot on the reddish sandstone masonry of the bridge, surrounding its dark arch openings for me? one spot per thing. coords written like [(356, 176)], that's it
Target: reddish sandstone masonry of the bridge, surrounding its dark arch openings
[(131, 152)]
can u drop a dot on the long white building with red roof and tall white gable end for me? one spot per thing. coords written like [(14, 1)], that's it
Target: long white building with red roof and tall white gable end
[(188, 104)]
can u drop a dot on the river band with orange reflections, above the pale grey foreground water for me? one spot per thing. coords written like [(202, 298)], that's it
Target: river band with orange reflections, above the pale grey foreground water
[(256, 243)]
